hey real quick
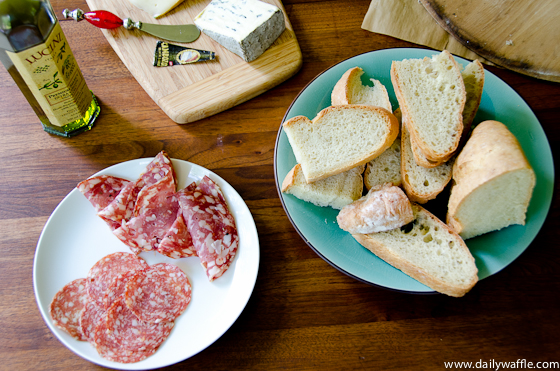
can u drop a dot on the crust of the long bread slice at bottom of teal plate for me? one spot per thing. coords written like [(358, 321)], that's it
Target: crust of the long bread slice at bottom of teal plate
[(420, 273)]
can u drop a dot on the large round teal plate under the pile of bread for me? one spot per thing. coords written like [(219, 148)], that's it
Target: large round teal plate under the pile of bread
[(492, 251)]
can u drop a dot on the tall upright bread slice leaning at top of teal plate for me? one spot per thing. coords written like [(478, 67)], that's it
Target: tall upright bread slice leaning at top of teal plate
[(431, 95)]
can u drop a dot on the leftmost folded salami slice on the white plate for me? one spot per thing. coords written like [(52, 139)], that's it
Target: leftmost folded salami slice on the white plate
[(102, 190)]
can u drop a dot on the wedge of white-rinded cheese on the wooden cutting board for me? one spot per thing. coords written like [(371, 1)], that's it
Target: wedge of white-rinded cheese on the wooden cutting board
[(244, 27)]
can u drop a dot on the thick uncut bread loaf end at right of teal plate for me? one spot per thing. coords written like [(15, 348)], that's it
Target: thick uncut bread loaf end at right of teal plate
[(493, 182)]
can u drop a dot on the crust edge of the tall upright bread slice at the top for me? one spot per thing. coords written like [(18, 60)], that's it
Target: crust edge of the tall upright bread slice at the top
[(428, 152)]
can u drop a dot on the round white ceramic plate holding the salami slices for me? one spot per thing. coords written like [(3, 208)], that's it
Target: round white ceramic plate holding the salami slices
[(74, 238)]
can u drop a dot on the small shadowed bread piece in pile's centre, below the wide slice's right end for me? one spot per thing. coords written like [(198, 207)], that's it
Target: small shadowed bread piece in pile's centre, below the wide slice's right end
[(386, 168)]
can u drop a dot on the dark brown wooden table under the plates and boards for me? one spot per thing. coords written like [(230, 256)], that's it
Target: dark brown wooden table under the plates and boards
[(303, 313)]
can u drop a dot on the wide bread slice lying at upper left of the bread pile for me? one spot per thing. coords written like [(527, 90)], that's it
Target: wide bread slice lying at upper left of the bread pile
[(340, 138)]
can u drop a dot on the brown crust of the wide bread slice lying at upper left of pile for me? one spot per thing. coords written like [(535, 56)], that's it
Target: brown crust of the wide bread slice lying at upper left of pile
[(392, 131)]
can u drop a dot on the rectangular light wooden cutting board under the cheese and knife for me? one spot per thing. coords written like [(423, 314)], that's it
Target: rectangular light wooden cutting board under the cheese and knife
[(194, 91)]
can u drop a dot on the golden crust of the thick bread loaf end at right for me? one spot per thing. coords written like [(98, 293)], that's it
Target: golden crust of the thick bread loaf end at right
[(491, 151)]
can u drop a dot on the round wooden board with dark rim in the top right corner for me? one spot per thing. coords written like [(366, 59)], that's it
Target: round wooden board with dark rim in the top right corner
[(522, 35)]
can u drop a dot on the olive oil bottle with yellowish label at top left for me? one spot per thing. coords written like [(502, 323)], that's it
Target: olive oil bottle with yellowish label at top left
[(36, 54)]
